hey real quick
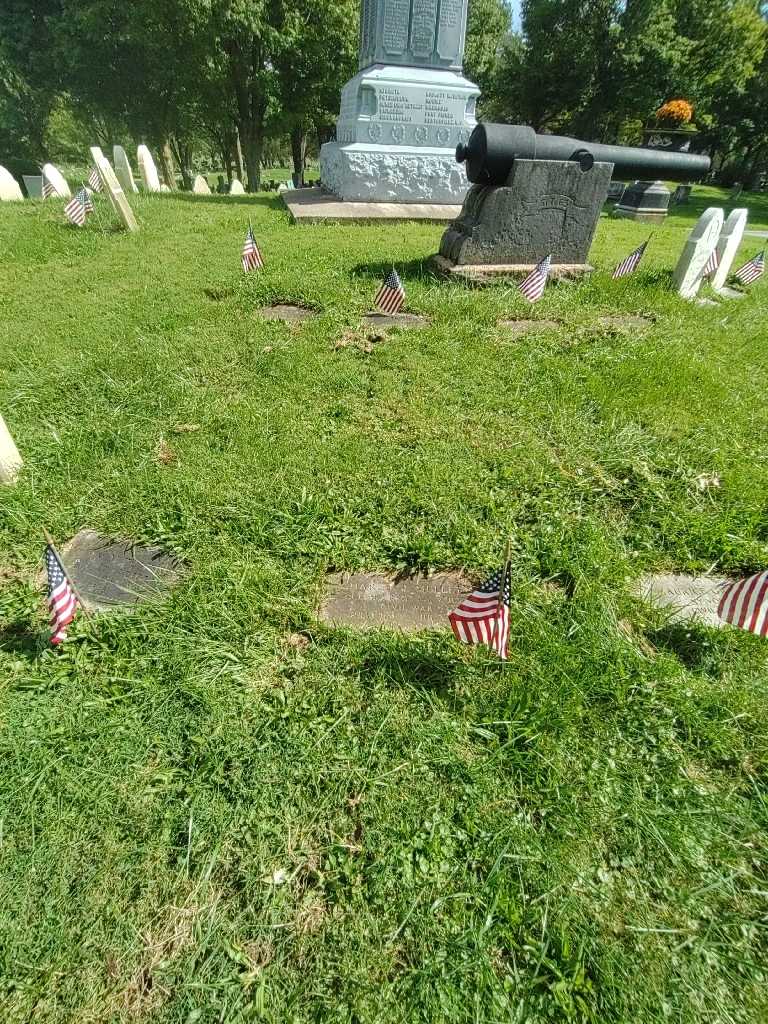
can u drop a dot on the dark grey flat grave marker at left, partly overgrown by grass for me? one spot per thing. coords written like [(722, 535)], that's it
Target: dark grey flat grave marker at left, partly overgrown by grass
[(109, 574)]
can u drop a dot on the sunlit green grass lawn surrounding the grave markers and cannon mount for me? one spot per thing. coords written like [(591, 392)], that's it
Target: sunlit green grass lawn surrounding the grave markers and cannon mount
[(216, 809)]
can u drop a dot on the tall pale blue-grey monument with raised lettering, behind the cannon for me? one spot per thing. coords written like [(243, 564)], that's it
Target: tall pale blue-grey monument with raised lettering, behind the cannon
[(408, 108)]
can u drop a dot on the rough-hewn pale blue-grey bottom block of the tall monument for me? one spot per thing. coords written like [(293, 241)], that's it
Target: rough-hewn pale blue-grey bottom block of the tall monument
[(366, 173)]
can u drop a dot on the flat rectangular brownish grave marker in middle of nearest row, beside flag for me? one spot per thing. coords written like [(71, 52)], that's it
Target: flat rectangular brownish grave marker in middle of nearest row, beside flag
[(372, 601)]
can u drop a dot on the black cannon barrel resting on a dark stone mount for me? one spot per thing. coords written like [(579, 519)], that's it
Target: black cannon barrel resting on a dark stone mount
[(493, 149)]
